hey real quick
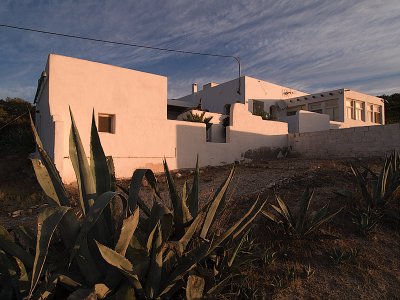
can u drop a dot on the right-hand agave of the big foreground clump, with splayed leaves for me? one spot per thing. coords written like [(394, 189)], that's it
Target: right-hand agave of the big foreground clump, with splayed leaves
[(171, 244)]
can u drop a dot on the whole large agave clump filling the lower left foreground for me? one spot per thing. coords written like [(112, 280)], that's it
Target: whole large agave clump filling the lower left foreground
[(112, 250)]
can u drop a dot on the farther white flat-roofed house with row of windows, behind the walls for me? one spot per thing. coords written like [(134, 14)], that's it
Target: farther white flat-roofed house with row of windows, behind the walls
[(303, 112)]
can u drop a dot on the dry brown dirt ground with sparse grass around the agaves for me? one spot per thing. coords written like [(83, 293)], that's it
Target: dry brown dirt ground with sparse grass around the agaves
[(374, 273)]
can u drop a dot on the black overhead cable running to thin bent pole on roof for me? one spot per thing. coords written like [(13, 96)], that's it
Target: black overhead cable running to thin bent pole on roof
[(237, 58)]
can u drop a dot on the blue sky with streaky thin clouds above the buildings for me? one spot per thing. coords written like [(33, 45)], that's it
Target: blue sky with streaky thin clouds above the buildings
[(306, 45)]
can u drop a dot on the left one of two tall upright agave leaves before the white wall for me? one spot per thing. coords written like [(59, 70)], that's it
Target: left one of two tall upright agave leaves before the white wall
[(87, 188)]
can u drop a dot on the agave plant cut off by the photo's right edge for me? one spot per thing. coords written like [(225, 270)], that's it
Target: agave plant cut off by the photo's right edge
[(378, 191)]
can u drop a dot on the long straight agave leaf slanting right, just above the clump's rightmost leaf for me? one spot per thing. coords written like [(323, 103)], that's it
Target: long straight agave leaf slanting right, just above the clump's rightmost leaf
[(216, 204)]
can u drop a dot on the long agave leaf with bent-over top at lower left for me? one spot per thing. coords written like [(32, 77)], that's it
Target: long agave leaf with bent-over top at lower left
[(48, 221)]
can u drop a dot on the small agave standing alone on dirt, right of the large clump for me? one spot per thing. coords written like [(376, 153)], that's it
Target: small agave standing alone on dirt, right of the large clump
[(303, 224)]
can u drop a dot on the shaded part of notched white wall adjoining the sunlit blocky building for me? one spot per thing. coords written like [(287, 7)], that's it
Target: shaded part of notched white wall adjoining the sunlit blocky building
[(191, 141)]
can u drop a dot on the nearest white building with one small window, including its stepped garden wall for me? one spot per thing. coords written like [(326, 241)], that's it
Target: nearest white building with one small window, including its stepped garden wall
[(131, 113)]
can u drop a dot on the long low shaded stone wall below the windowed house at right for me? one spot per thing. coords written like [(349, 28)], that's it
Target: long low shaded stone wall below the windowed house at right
[(365, 141)]
